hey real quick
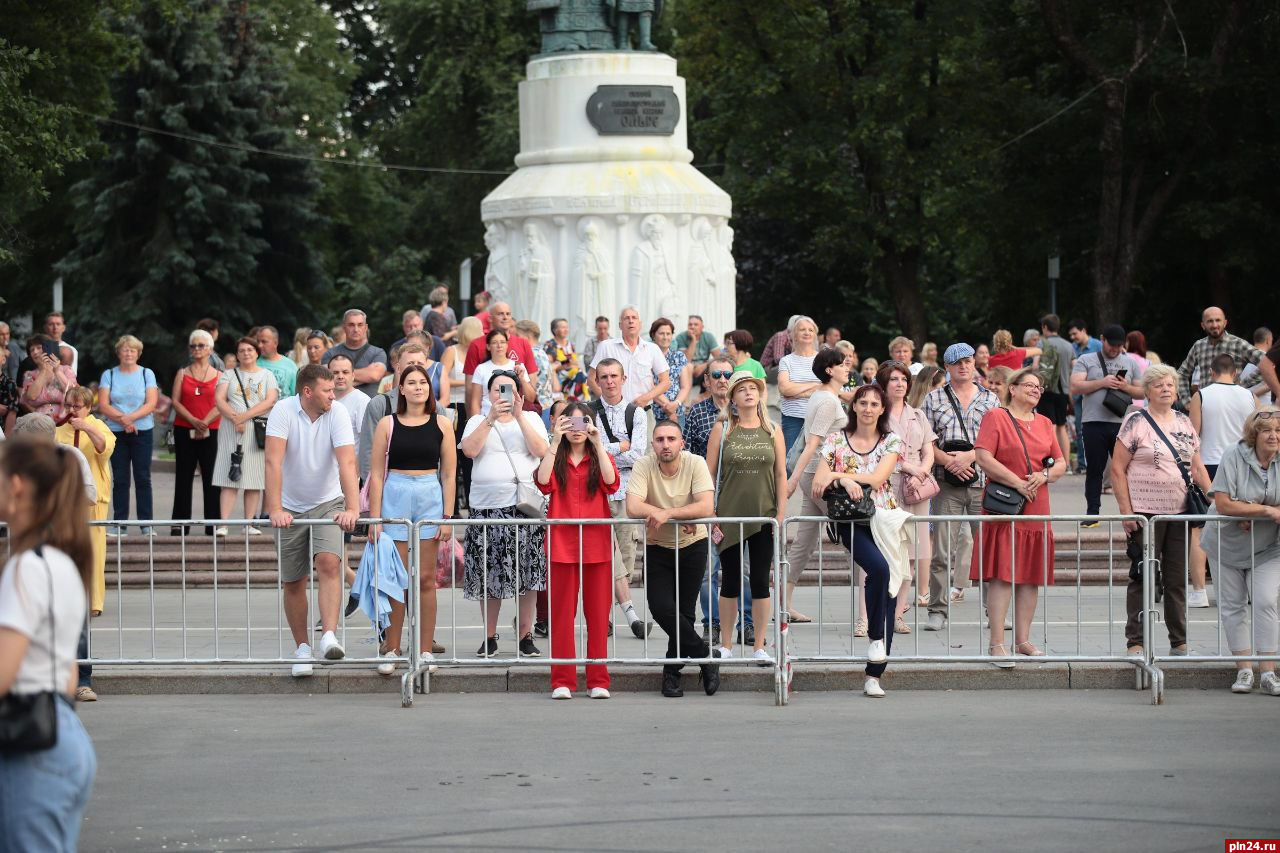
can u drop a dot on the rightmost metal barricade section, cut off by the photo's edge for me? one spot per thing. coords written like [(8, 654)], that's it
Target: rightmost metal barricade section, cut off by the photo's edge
[(1245, 590)]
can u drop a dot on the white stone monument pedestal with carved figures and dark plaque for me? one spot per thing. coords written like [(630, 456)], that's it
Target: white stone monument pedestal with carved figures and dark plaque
[(605, 211)]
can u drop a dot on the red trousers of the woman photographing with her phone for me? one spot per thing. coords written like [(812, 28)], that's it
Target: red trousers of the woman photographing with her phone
[(597, 600)]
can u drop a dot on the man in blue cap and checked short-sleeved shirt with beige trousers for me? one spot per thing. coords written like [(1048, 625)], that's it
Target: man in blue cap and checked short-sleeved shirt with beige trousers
[(953, 544)]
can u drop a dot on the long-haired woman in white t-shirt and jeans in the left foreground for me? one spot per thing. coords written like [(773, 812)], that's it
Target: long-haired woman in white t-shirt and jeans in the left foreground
[(42, 614)]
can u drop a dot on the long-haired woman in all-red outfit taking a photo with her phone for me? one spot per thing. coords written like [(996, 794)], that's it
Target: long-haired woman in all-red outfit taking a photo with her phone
[(579, 476)]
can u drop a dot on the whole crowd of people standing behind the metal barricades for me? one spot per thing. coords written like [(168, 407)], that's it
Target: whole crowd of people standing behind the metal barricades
[(486, 419)]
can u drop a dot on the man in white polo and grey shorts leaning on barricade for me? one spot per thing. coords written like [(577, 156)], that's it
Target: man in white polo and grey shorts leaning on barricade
[(312, 475)]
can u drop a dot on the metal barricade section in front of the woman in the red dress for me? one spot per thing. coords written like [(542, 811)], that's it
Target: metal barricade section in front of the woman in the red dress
[(1077, 626)]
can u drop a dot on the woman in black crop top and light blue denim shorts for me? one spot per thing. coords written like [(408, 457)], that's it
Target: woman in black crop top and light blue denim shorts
[(412, 477)]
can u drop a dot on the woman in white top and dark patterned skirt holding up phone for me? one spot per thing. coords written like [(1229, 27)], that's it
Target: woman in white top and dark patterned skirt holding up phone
[(509, 560)]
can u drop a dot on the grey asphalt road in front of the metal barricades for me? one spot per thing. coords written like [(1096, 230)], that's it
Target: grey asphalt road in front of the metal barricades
[(916, 772)]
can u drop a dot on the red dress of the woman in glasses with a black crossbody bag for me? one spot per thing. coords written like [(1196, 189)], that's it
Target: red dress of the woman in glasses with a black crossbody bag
[(1017, 553)]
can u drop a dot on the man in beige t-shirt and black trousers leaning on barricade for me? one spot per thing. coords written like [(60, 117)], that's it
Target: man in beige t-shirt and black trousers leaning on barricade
[(669, 487)]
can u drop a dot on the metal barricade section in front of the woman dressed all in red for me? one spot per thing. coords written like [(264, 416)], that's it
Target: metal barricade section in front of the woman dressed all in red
[(680, 618)]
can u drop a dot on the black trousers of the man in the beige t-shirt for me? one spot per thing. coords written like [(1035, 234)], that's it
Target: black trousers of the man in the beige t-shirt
[(665, 585)]
